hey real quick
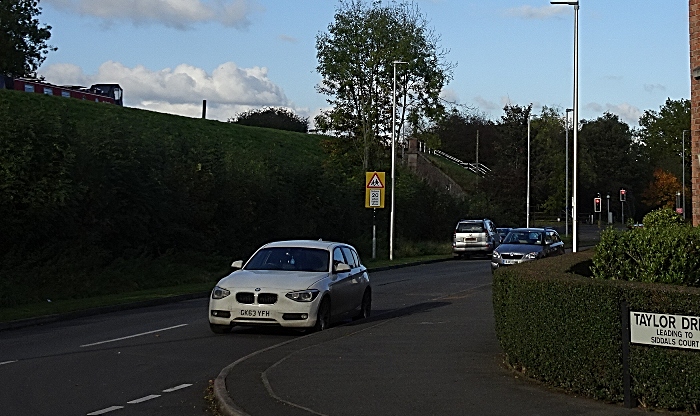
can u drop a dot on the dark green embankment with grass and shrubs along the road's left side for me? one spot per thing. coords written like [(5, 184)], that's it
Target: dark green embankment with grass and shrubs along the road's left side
[(85, 188)]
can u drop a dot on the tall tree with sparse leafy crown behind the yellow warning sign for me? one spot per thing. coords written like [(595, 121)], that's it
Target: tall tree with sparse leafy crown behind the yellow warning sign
[(356, 60)]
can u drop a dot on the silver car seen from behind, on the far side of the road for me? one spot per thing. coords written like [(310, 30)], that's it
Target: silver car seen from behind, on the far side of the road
[(474, 237)]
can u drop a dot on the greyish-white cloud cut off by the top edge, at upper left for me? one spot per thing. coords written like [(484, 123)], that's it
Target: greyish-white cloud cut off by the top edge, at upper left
[(179, 14)]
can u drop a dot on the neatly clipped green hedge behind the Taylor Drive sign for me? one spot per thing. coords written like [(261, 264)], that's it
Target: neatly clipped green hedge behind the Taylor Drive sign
[(557, 324)]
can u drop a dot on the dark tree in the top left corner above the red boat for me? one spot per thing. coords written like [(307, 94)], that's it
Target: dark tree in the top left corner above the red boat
[(22, 40)]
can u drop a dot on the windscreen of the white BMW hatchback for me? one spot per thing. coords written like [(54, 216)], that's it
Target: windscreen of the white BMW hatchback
[(290, 258)]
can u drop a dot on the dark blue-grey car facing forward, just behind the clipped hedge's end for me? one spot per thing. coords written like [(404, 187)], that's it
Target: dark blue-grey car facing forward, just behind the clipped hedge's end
[(525, 244)]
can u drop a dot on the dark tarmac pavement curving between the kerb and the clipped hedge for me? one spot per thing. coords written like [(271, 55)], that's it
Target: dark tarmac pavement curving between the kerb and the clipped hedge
[(435, 358)]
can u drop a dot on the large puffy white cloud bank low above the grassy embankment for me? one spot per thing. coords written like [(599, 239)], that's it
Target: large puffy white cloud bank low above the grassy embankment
[(228, 89)]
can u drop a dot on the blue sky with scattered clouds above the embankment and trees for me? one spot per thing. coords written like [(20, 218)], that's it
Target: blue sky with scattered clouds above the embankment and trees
[(241, 55)]
